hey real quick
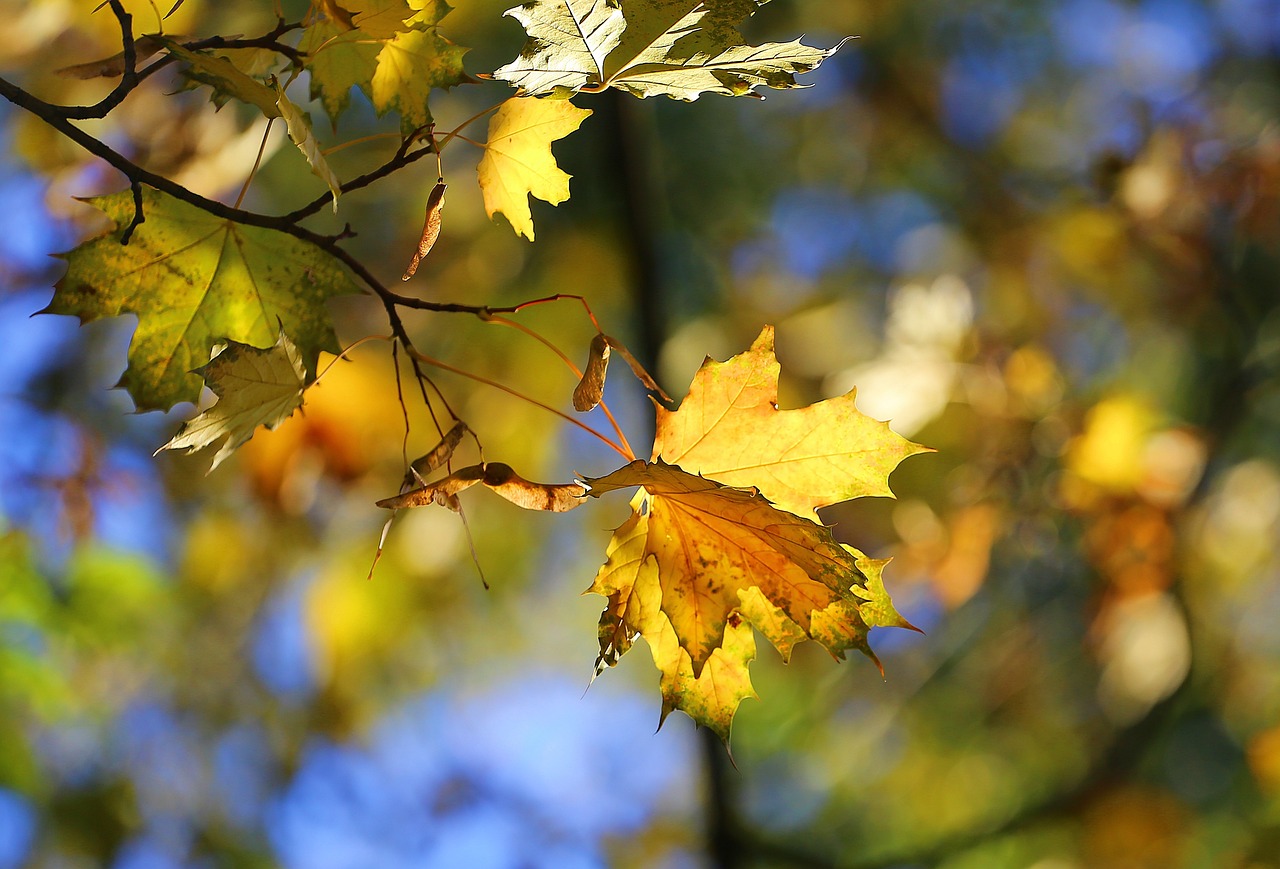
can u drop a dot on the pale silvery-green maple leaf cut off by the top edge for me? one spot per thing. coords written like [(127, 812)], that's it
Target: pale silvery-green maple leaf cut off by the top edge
[(676, 48)]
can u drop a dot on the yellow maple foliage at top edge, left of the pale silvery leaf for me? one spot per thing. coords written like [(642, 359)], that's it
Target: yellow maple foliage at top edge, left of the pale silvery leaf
[(390, 49)]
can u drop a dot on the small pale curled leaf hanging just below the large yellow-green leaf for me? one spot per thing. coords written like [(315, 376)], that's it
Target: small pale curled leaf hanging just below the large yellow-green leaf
[(254, 387)]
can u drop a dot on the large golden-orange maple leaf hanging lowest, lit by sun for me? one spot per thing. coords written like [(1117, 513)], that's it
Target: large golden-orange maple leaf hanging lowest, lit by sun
[(725, 536)]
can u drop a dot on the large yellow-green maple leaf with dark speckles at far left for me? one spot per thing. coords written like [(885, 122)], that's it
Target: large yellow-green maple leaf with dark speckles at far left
[(196, 281)]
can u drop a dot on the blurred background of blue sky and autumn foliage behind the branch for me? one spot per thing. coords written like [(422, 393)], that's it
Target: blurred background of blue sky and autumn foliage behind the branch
[(1043, 239)]
